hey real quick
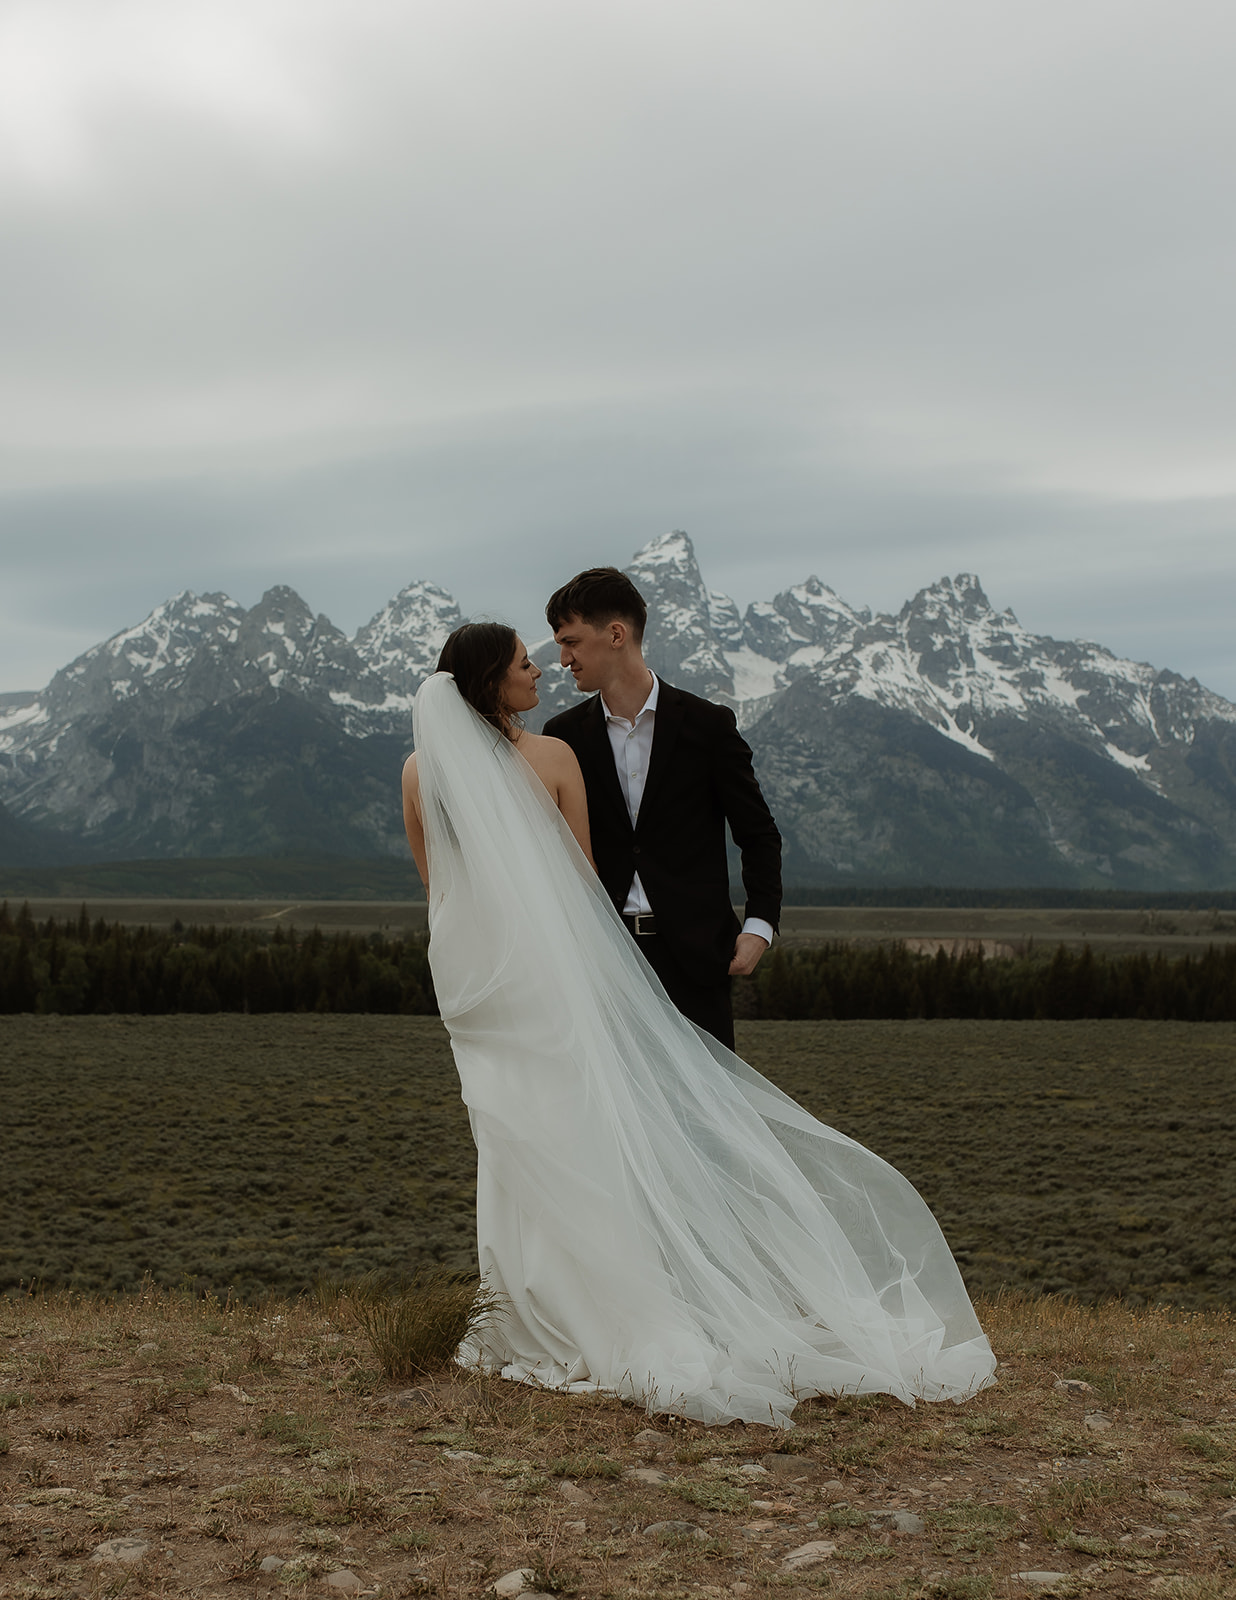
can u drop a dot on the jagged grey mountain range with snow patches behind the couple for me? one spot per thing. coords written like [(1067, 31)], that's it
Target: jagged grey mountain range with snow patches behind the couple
[(944, 745)]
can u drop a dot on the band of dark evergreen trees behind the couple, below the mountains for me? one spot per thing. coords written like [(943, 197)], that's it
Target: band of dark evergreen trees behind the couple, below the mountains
[(79, 967)]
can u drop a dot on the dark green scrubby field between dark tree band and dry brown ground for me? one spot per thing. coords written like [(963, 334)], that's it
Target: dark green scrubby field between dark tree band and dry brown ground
[(259, 1153)]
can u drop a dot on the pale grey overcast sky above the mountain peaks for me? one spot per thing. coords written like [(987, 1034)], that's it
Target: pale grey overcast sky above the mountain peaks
[(343, 294)]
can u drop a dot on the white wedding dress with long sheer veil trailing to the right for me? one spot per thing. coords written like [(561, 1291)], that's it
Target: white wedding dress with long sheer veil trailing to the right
[(662, 1222)]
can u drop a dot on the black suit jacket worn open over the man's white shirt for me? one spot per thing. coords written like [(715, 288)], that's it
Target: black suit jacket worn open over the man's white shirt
[(700, 778)]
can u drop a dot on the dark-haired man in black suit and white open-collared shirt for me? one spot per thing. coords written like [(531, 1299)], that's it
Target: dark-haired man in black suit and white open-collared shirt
[(665, 774)]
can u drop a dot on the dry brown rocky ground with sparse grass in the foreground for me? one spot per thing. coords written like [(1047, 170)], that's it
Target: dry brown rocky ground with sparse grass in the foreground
[(164, 1446)]
